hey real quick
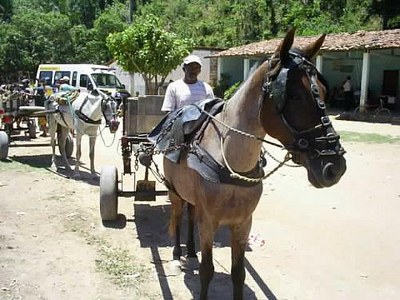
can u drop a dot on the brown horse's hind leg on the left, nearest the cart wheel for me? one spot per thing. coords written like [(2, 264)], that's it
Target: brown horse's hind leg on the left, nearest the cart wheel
[(175, 224)]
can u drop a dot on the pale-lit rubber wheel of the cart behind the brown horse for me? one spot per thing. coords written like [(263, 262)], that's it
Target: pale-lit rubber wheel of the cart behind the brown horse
[(108, 193)]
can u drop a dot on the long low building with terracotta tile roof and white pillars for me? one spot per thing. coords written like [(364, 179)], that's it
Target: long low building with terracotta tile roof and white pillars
[(370, 58)]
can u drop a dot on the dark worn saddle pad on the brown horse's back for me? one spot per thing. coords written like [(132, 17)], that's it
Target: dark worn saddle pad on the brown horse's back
[(178, 129)]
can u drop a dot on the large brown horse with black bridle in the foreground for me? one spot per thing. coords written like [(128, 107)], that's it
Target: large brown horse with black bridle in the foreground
[(283, 98)]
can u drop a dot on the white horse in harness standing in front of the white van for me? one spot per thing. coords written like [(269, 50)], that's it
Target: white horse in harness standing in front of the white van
[(83, 115)]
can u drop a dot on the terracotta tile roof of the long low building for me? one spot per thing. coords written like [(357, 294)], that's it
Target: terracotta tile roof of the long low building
[(333, 42)]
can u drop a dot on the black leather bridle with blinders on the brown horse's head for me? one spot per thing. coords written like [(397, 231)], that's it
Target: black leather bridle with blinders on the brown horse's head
[(321, 139)]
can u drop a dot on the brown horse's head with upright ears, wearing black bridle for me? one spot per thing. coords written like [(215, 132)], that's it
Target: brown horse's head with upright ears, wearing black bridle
[(293, 111)]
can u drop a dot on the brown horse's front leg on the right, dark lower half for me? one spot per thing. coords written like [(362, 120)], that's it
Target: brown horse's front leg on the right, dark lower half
[(239, 237)]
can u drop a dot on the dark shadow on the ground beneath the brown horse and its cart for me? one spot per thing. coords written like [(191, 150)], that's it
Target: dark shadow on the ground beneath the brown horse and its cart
[(152, 228)]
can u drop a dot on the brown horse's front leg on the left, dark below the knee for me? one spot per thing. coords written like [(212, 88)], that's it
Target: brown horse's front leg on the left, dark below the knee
[(206, 270)]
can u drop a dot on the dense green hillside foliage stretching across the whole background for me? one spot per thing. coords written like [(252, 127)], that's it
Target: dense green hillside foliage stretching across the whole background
[(38, 31)]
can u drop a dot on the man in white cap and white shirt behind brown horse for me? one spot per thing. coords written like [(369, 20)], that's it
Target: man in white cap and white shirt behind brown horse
[(189, 89)]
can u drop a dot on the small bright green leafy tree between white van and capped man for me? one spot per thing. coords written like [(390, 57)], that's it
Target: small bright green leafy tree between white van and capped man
[(147, 48)]
